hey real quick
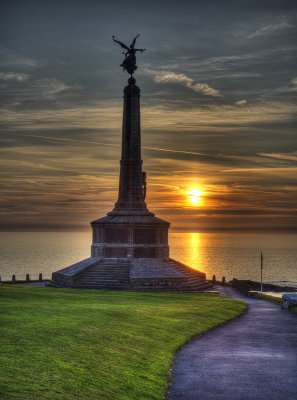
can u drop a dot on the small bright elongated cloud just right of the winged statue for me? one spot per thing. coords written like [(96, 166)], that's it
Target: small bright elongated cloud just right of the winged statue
[(182, 79)]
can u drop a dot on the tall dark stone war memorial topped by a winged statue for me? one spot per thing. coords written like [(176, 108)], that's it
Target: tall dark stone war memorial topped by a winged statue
[(130, 244)]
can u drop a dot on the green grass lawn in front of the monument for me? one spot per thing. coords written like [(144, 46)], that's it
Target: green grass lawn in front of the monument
[(84, 344)]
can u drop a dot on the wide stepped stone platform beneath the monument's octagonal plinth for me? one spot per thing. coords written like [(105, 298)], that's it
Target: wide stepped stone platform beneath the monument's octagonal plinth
[(149, 274)]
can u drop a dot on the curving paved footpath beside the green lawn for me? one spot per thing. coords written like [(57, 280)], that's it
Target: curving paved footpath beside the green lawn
[(251, 358)]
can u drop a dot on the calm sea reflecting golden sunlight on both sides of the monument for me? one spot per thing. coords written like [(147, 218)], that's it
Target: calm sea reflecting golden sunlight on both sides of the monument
[(222, 254)]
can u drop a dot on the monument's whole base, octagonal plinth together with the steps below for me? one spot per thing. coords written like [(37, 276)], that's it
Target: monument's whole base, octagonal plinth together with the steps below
[(130, 252)]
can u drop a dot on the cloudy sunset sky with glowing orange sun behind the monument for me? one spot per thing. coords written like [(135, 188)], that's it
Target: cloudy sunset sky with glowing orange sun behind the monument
[(218, 86)]
